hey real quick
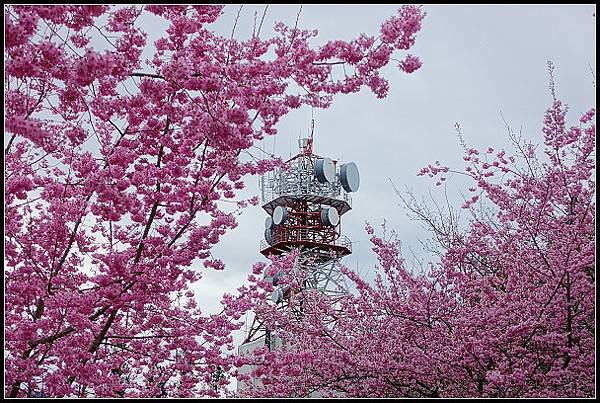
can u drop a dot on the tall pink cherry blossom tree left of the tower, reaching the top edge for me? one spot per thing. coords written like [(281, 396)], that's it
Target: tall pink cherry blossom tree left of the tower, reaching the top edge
[(115, 169)]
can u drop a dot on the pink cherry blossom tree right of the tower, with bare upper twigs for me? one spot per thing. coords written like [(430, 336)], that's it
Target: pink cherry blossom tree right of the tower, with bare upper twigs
[(507, 311)]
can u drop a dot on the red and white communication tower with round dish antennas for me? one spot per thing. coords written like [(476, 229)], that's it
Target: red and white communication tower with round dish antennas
[(305, 200)]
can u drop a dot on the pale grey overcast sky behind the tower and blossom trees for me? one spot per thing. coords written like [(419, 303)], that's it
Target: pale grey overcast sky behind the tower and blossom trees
[(478, 61)]
